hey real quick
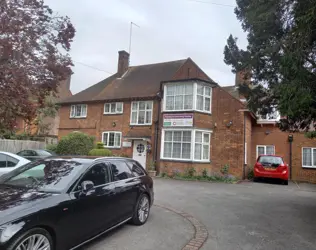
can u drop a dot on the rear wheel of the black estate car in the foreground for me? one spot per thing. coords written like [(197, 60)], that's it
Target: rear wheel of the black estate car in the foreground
[(142, 210)]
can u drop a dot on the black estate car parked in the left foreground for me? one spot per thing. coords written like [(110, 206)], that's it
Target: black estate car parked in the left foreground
[(62, 203)]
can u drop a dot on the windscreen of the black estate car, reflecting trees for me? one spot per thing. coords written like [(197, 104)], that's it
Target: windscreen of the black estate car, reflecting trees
[(45, 175)]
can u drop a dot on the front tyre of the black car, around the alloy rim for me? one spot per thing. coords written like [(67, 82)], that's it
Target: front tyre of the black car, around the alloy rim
[(37, 234)]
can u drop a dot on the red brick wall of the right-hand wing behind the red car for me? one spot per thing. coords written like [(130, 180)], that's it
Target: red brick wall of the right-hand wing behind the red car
[(271, 135)]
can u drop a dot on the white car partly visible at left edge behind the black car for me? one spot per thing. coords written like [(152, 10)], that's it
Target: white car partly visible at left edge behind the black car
[(9, 161)]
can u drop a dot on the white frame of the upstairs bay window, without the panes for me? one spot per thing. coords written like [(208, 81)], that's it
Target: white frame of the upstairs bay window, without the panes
[(194, 104)]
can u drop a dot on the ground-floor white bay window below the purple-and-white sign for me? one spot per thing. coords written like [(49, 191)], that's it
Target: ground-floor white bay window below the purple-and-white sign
[(186, 145)]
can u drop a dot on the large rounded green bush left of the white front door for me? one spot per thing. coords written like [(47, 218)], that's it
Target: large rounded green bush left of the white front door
[(75, 143)]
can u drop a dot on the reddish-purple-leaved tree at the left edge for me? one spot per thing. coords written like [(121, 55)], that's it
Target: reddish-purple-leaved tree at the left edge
[(34, 46)]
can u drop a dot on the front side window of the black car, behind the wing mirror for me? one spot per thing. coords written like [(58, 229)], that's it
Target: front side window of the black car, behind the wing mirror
[(98, 174)]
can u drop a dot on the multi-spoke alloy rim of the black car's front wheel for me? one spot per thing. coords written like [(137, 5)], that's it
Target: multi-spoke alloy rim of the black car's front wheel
[(35, 242)]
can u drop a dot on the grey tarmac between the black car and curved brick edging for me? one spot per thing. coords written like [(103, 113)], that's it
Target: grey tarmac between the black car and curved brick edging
[(164, 230)]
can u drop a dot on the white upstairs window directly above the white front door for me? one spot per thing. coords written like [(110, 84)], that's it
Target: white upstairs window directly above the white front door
[(141, 113)]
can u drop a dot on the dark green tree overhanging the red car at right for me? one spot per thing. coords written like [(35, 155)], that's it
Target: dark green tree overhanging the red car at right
[(280, 55)]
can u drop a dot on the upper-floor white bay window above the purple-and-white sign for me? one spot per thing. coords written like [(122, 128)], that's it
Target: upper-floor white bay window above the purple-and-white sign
[(187, 96)]
